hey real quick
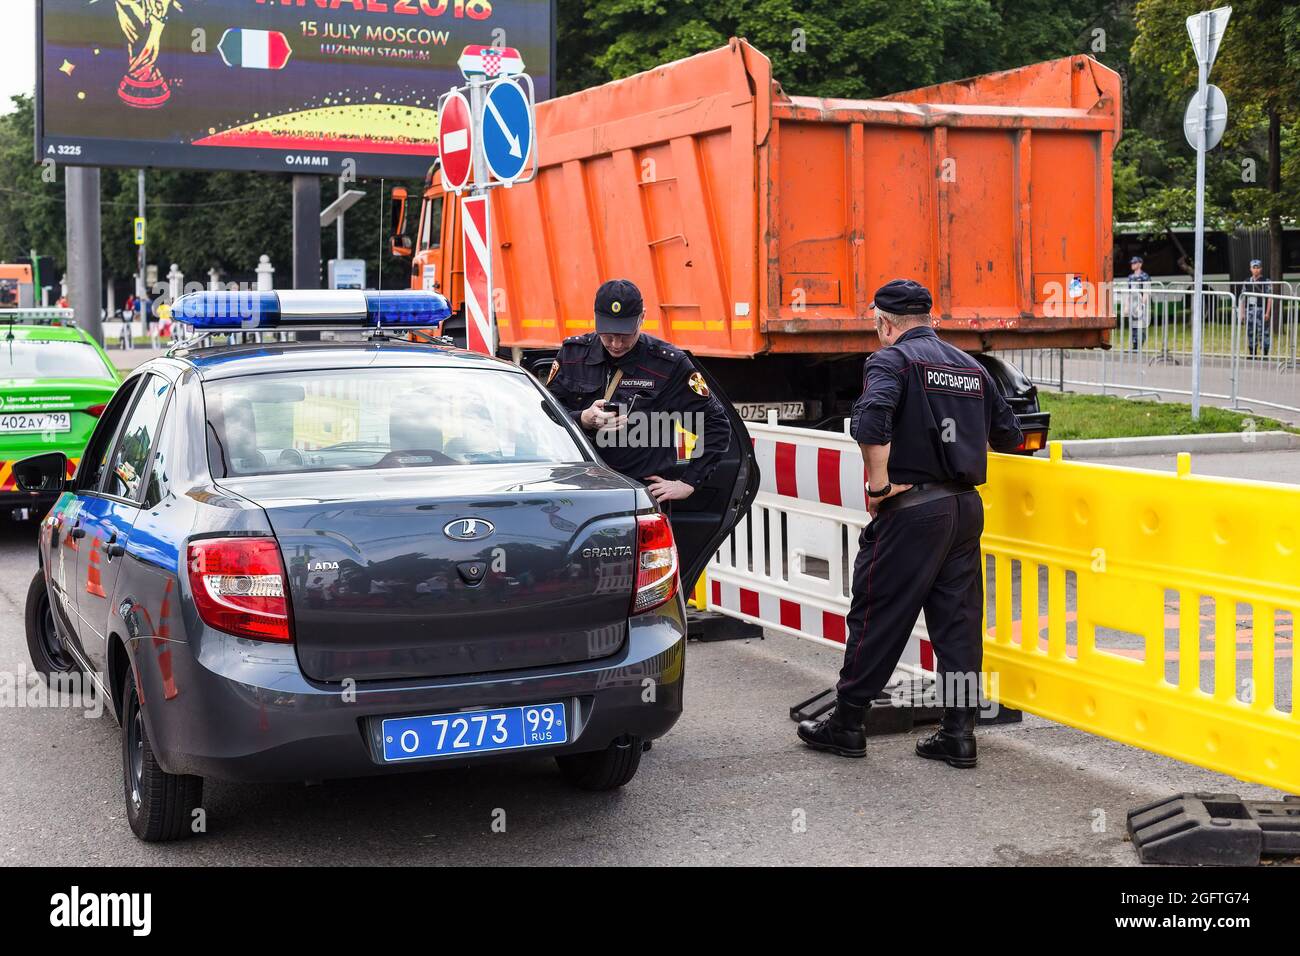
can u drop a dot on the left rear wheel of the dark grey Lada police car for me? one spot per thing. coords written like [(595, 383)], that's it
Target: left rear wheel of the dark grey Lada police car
[(159, 806)]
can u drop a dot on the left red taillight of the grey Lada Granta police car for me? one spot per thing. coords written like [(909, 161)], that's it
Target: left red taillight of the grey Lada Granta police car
[(239, 586)]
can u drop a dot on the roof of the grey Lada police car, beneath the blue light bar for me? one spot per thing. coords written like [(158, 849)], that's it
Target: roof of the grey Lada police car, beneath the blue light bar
[(228, 361)]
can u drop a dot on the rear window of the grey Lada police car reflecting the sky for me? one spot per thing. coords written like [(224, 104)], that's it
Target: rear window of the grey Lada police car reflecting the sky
[(380, 418)]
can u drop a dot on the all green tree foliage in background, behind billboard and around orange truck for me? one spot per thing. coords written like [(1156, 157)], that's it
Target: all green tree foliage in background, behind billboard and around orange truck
[(855, 49)]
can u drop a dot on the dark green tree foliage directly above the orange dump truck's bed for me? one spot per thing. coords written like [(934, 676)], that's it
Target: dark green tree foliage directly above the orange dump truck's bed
[(826, 47)]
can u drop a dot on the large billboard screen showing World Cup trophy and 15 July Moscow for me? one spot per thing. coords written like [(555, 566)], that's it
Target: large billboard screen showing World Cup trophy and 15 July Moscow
[(298, 86)]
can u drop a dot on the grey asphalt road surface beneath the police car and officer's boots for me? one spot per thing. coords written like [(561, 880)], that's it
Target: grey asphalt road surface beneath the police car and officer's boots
[(730, 785)]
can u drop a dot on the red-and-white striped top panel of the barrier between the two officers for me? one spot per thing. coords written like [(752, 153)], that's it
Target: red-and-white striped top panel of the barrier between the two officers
[(813, 473)]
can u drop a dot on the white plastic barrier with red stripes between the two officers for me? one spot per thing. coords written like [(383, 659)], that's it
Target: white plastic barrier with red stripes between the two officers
[(788, 565)]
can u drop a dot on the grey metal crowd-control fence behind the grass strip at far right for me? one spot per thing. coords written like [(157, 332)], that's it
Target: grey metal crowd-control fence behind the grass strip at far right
[(1251, 349)]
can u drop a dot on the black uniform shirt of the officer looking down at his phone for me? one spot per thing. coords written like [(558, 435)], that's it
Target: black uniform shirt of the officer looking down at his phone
[(660, 379)]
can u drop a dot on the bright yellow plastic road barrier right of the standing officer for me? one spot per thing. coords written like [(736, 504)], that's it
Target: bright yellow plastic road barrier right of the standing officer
[(1102, 592)]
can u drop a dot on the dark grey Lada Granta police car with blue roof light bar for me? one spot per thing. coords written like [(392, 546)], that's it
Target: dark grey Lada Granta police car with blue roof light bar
[(289, 561)]
